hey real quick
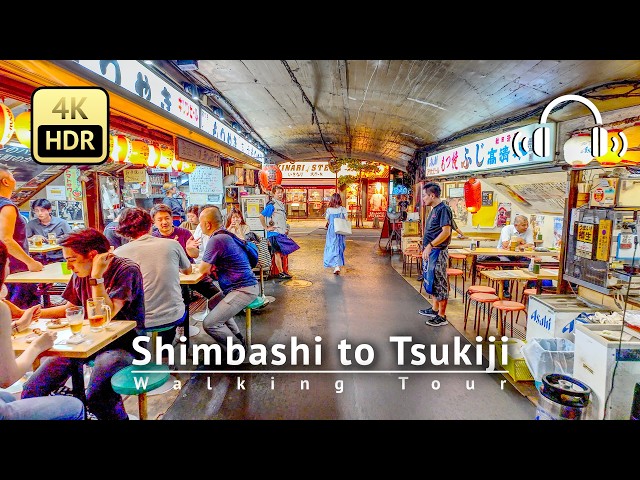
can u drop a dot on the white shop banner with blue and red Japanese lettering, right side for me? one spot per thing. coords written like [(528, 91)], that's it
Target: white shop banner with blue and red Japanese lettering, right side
[(493, 153)]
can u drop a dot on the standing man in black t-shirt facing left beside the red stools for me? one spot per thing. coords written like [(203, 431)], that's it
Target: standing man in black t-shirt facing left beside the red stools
[(435, 256)]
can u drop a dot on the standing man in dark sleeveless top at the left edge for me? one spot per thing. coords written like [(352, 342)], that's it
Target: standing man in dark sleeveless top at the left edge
[(13, 233)]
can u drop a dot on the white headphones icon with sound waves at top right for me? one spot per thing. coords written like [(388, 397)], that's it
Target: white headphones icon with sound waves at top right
[(541, 142)]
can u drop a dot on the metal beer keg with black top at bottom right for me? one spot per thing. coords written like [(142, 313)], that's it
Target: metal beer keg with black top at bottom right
[(562, 397)]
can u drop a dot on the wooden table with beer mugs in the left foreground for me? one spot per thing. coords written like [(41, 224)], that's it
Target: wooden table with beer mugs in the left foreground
[(95, 342)]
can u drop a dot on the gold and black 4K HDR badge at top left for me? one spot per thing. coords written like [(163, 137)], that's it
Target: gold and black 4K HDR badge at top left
[(70, 125)]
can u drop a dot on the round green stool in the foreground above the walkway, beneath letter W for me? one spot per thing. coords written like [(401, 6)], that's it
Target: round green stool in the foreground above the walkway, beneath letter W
[(124, 383)]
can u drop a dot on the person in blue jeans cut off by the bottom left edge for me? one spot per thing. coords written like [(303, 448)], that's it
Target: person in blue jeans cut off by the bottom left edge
[(12, 368)]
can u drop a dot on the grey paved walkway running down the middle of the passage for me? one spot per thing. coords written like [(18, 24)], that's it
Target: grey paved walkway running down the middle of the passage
[(365, 306)]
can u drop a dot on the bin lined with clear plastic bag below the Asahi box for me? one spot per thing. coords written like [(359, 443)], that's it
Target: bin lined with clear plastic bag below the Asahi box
[(548, 355)]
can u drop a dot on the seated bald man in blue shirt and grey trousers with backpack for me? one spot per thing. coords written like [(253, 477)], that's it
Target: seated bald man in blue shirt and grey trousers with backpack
[(229, 258)]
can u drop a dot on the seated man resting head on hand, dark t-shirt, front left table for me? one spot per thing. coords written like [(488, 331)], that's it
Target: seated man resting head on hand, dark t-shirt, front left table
[(97, 272)]
